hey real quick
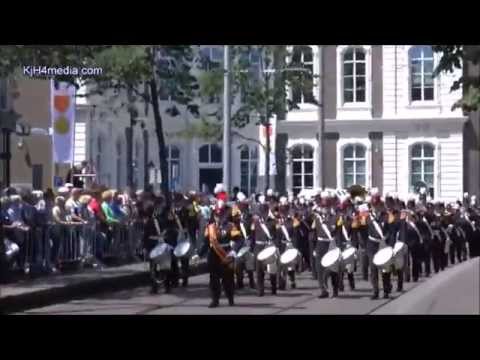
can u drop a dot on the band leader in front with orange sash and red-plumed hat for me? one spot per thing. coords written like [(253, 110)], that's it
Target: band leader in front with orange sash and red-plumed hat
[(220, 256)]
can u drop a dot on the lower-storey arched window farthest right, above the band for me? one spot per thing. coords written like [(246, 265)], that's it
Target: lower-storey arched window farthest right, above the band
[(422, 165)]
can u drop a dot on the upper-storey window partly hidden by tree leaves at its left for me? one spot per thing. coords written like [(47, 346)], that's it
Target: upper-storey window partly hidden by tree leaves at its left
[(303, 57)]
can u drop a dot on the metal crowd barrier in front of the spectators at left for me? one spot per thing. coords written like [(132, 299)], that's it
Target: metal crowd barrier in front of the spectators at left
[(42, 247)]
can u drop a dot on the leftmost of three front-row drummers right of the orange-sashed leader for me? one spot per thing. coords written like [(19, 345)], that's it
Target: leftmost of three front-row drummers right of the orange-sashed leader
[(260, 239)]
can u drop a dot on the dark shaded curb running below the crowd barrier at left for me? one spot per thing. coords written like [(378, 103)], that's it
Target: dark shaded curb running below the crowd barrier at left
[(54, 295)]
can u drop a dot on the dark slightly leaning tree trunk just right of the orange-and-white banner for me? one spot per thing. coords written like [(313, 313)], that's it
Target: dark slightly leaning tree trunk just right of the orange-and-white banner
[(161, 141)]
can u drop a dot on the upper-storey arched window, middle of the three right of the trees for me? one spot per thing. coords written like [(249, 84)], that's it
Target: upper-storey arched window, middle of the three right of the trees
[(354, 76)]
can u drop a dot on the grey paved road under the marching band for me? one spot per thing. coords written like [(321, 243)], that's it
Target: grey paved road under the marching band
[(456, 286)]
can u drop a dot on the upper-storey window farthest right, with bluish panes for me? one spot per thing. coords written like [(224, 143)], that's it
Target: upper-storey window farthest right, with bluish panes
[(421, 70)]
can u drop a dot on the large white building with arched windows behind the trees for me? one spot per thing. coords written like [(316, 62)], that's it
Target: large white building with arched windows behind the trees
[(388, 123)]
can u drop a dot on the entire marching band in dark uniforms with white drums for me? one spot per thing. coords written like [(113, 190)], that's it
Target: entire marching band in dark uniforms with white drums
[(331, 233)]
